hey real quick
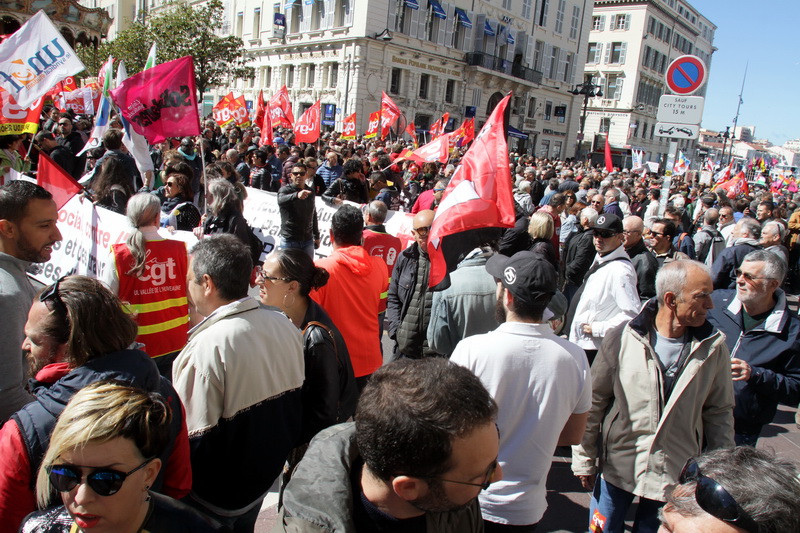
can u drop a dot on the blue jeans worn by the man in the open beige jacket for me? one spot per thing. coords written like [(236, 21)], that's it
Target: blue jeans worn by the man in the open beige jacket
[(612, 504)]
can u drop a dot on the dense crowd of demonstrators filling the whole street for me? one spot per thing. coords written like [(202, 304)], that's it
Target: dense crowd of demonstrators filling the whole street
[(642, 321)]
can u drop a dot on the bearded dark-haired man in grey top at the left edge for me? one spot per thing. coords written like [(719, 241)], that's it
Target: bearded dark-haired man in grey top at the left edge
[(28, 233)]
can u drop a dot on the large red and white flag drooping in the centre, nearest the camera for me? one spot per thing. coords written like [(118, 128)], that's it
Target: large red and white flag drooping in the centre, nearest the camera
[(477, 202)]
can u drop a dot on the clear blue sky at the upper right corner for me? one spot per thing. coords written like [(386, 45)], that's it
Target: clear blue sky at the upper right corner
[(765, 33)]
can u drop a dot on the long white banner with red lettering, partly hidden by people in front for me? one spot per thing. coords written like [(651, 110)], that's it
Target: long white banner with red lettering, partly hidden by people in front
[(88, 233)]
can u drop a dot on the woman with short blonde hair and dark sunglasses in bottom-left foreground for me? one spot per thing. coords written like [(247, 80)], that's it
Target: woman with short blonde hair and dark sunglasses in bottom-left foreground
[(102, 460)]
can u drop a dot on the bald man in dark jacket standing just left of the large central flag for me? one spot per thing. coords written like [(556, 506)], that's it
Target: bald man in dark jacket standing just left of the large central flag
[(409, 303)]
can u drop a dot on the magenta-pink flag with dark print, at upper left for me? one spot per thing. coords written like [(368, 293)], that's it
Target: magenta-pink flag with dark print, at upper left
[(161, 102)]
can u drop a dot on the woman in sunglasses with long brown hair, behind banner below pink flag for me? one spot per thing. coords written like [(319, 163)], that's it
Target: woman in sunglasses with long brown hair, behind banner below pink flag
[(177, 209)]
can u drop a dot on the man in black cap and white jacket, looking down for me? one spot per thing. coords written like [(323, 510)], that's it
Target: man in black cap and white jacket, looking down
[(608, 296)]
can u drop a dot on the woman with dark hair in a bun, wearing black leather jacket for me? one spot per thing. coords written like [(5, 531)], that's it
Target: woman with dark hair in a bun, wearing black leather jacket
[(329, 390)]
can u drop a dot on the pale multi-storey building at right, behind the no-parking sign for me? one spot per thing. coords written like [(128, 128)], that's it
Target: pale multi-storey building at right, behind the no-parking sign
[(631, 43)]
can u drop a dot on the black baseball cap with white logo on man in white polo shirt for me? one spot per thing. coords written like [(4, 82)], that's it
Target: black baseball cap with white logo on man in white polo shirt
[(525, 274)]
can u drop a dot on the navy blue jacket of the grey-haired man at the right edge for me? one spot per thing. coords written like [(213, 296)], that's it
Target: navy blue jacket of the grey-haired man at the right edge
[(772, 349)]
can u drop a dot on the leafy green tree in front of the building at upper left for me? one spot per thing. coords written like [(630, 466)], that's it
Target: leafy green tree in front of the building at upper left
[(184, 30)]
